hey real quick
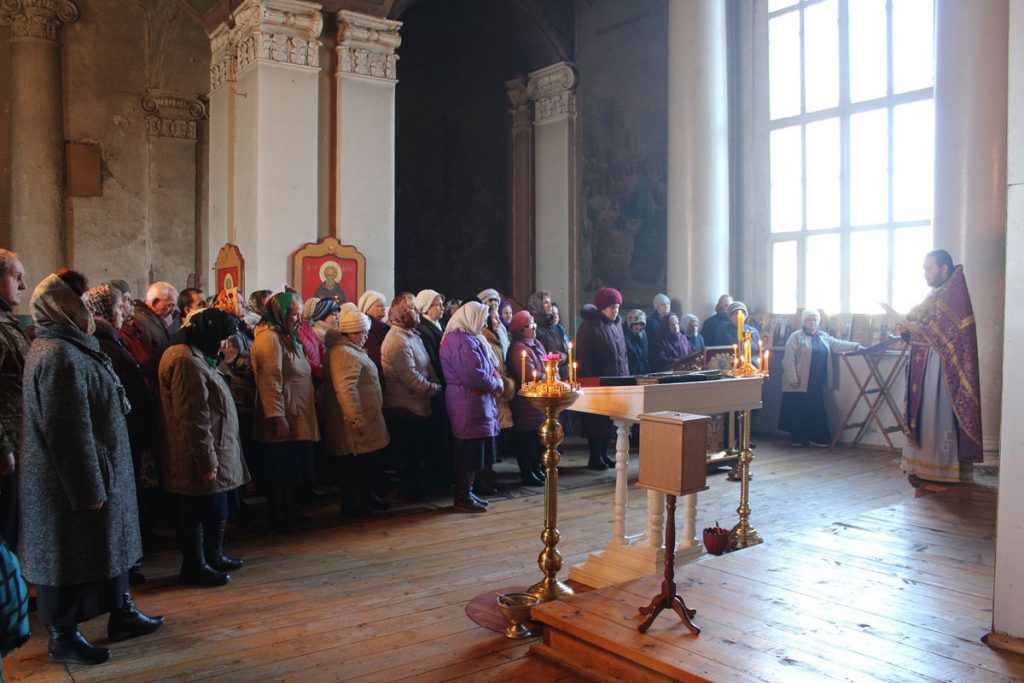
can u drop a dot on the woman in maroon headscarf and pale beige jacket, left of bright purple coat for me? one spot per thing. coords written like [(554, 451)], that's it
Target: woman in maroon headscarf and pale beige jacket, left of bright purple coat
[(410, 382)]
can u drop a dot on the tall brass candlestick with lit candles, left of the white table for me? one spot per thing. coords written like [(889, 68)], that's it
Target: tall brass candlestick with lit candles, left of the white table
[(552, 397)]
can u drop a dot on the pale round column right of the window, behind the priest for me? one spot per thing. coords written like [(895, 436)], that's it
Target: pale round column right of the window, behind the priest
[(970, 174)]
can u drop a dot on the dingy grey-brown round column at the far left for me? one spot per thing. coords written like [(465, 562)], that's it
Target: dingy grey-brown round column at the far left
[(37, 168)]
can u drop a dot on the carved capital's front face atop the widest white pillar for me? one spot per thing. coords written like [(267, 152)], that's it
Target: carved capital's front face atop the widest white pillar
[(278, 31)]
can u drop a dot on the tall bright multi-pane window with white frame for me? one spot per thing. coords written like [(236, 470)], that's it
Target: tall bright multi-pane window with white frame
[(851, 149)]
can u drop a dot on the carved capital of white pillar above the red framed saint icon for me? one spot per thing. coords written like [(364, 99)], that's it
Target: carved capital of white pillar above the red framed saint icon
[(367, 45)]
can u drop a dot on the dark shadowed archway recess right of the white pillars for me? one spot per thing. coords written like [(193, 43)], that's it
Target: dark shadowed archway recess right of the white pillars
[(452, 135)]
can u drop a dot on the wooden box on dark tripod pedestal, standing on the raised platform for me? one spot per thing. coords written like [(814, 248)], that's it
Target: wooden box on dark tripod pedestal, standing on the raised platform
[(673, 448)]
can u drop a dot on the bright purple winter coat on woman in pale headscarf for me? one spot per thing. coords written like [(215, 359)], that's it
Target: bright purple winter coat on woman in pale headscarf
[(473, 382)]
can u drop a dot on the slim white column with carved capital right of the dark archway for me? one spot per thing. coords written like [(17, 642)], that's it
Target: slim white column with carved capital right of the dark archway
[(553, 92)]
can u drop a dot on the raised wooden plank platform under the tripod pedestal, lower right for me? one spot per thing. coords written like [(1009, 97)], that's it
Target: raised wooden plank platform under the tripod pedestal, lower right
[(903, 593)]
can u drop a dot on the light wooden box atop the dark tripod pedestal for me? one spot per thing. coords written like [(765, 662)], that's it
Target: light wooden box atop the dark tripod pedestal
[(673, 452)]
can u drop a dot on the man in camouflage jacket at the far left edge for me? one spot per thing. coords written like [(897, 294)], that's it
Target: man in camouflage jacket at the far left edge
[(14, 346)]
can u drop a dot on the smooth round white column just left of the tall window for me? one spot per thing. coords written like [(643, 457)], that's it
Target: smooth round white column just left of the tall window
[(699, 145)]
